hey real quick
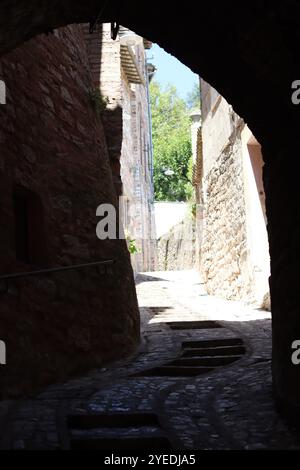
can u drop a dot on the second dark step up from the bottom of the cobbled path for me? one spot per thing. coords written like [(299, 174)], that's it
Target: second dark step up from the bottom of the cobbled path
[(110, 420)]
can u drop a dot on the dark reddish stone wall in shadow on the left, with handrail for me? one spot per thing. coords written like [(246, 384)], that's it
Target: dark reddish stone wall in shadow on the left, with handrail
[(54, 160)]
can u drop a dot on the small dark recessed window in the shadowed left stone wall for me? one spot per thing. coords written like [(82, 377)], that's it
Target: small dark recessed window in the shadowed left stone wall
[(30, 240)]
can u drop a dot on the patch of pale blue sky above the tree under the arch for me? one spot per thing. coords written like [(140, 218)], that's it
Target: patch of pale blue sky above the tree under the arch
[(170, 70)]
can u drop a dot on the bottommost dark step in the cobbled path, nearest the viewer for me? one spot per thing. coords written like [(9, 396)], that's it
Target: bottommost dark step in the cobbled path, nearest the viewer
[(153, 443)]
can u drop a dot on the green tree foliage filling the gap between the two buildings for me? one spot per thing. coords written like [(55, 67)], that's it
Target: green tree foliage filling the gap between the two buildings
[(171, 144)]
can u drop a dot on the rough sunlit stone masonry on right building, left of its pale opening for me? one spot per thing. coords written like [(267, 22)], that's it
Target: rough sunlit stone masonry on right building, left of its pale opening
[(224, 262)]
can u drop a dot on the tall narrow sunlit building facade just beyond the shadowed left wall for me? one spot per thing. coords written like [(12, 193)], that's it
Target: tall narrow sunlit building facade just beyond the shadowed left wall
[(121, 73)]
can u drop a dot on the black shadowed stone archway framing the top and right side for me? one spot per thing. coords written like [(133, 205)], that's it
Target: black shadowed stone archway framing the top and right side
[(249, 53)]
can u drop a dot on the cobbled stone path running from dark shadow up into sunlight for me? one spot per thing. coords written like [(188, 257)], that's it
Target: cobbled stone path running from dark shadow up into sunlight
[(230, 407)]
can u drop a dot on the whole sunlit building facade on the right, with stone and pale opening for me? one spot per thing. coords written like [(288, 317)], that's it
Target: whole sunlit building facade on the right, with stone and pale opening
[(234, 251)]
